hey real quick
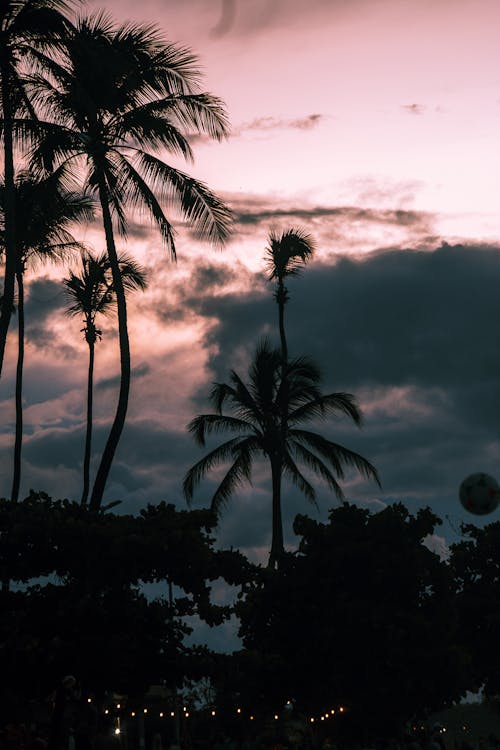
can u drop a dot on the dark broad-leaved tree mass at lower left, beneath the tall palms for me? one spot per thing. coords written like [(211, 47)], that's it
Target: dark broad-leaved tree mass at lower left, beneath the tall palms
[(85, 613)]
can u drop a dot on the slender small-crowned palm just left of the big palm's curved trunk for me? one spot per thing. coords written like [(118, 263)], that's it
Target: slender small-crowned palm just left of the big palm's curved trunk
[(91, 293)]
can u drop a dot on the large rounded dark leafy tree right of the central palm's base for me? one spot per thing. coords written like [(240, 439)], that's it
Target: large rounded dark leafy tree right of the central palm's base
[(363, 617)]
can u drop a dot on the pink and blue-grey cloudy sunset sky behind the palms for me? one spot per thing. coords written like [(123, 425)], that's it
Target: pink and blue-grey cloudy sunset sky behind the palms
[(373, 126)]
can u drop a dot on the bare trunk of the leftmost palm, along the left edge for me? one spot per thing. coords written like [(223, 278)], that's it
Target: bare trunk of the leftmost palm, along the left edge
[(9, 210)]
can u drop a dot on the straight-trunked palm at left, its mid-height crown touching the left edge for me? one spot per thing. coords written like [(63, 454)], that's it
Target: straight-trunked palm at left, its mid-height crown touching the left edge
[(47, 208)]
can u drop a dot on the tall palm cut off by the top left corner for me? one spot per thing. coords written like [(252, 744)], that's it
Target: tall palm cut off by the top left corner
[(27, 29)]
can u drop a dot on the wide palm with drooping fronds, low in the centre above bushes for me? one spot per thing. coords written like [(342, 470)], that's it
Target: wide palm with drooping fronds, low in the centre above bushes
[(257, 410)]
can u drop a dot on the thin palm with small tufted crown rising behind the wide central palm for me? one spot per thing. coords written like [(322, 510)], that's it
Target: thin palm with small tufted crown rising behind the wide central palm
[(284, 256)]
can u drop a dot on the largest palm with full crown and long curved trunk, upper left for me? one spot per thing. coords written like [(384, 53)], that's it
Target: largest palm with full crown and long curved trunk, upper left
[(115, 97)]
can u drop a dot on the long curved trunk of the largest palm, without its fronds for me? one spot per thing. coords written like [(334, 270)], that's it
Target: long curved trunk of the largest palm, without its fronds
[(121, 409)]
